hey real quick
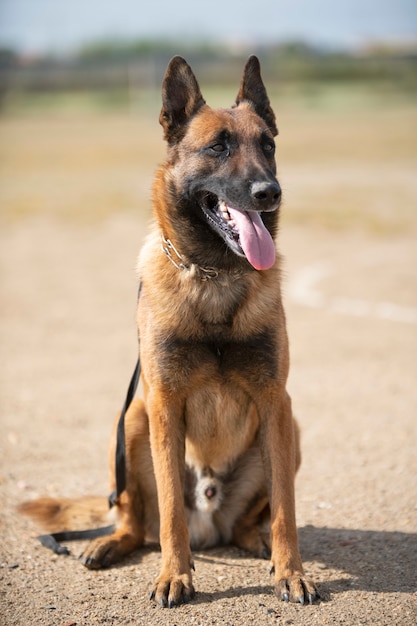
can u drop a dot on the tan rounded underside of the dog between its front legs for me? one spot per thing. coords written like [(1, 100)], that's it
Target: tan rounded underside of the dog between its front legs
[(221, 423)]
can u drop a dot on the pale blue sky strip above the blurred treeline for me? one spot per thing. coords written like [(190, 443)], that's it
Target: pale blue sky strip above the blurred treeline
[(47, 27)]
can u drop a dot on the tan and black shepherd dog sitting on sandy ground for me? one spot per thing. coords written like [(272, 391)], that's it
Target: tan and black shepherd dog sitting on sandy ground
[(212, 449)]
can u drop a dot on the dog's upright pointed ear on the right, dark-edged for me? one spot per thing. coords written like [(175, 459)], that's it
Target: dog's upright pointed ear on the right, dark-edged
[(253, 90)]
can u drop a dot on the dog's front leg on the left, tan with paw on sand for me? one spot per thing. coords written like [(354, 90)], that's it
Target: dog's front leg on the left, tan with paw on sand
[(167, 431)]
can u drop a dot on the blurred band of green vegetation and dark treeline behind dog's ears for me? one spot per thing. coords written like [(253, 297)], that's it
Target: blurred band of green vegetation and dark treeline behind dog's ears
[(126, 75)]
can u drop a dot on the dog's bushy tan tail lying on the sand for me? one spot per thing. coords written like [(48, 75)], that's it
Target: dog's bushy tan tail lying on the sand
[(56, 514)]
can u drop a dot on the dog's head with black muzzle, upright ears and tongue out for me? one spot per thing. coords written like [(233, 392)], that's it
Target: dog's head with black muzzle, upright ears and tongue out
[(221, 170)]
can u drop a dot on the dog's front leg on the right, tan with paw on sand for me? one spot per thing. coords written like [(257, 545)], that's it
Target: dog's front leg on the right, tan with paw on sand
[(280, 457)]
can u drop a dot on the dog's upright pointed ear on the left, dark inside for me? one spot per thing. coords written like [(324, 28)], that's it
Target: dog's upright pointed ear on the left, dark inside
[(181, 99)]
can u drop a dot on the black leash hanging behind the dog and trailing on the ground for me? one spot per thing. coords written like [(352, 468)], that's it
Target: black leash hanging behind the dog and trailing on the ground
[(52, 541)]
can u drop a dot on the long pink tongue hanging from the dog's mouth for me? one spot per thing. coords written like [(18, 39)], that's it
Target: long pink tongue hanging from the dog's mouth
[(255, 239)]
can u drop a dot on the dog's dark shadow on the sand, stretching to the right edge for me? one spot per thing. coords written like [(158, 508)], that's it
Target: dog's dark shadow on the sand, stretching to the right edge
[(339, 560)]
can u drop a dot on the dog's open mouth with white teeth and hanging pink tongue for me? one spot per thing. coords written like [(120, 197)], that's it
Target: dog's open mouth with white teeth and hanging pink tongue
[(243, 231)]
